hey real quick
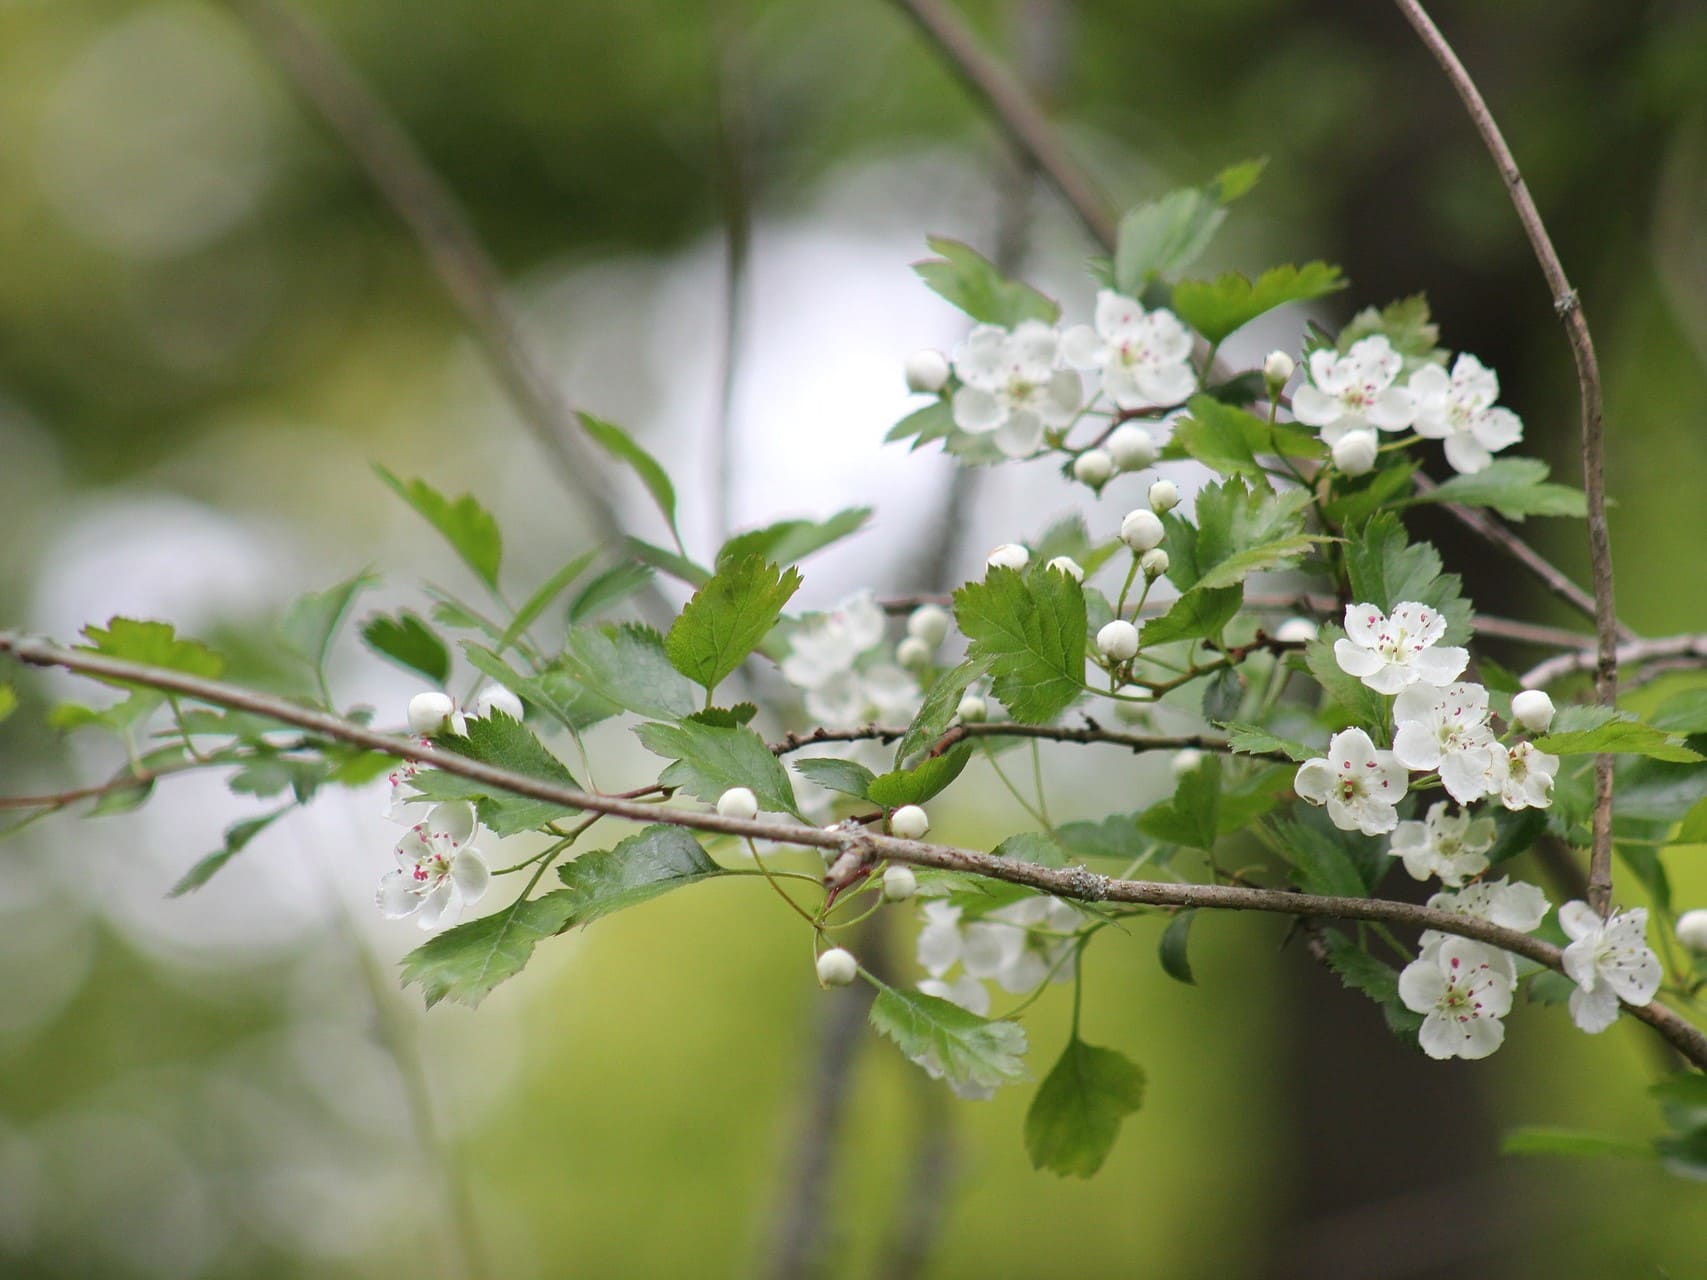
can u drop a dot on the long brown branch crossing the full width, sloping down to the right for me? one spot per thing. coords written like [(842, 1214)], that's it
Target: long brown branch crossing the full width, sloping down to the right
[(858, 847)]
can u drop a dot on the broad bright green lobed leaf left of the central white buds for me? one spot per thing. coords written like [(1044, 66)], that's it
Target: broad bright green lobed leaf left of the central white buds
[(1032, 636)]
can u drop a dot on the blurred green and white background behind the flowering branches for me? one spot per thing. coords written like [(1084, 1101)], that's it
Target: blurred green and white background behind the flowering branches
[(211, 327)]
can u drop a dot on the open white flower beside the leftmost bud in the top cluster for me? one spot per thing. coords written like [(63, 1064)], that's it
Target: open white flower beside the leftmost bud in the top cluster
[(1013, 388)]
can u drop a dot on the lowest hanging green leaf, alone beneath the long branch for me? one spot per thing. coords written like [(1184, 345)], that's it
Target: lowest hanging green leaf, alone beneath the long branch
[(1076, 1117)]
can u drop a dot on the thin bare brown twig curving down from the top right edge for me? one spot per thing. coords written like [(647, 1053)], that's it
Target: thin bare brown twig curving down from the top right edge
[(1570, 310)]
